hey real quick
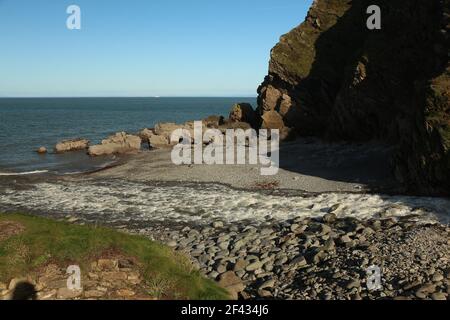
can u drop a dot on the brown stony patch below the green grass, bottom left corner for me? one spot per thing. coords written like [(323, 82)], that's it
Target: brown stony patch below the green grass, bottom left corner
[(109, 278)]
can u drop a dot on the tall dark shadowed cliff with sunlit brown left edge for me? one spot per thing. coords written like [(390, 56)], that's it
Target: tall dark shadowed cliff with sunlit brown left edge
[(335, 78)]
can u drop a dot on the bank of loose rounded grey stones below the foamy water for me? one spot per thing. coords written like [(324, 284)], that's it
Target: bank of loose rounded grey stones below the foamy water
[(326, 258)]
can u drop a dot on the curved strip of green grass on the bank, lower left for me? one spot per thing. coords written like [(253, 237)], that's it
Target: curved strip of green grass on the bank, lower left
[(47, 241)]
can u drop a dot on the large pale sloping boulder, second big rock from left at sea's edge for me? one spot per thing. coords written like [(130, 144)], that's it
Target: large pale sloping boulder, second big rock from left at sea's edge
[(120, 143)]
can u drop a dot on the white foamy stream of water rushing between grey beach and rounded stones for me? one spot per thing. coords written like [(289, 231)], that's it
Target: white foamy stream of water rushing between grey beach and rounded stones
[(118, 200)]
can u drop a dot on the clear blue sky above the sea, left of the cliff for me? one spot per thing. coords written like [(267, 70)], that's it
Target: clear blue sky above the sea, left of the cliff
[(141, 48)]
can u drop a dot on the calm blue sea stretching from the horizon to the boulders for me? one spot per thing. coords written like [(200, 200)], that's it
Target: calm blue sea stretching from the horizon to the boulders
[(27, 124)]
